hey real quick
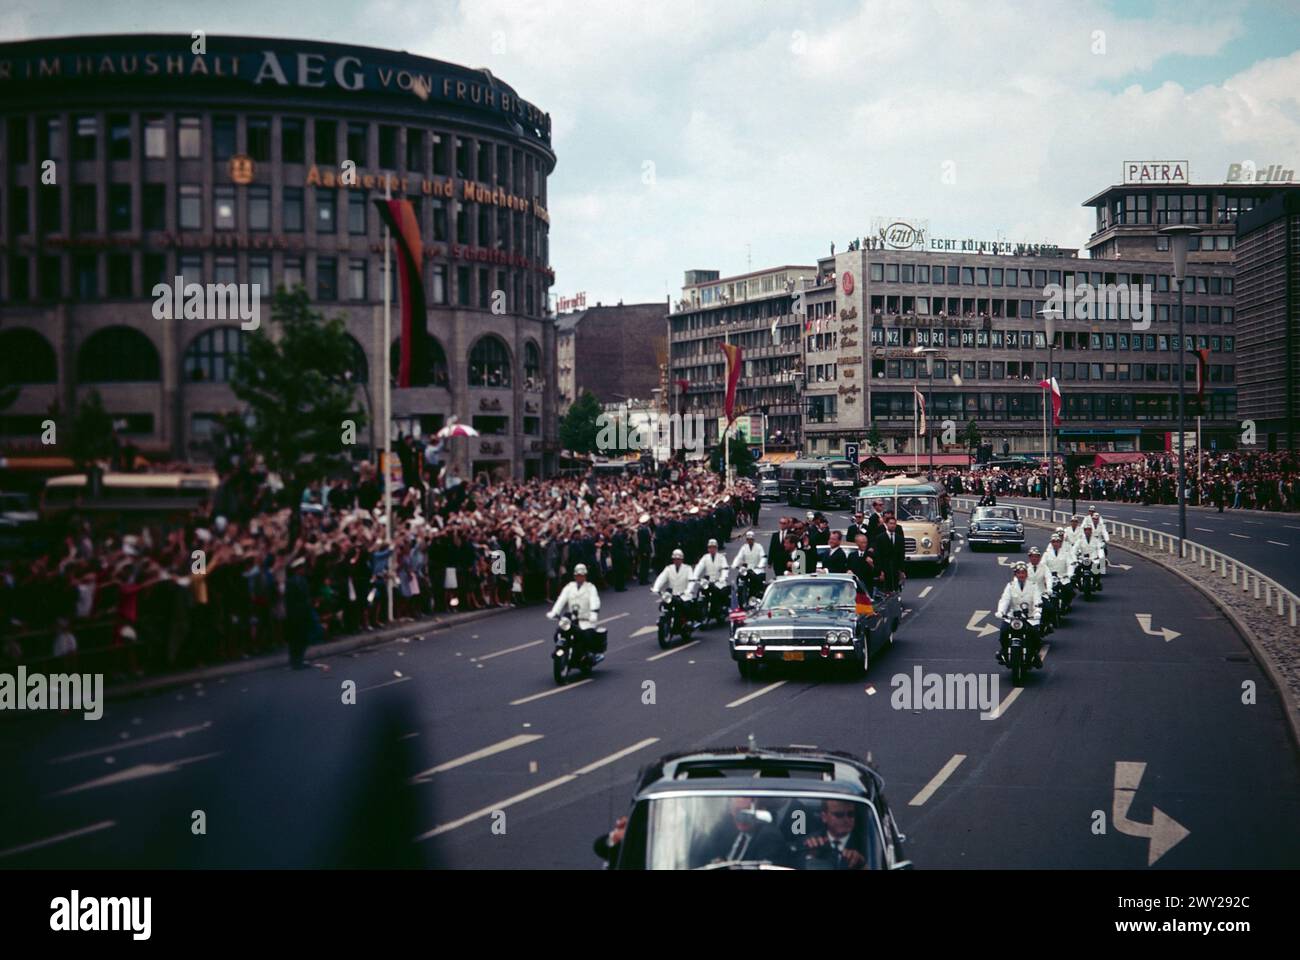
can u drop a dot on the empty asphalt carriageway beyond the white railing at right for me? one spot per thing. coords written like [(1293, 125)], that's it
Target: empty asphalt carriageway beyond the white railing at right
[(1264, 540)]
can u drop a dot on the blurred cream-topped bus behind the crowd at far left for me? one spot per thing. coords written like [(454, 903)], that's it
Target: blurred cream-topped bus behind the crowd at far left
[(149, 495)]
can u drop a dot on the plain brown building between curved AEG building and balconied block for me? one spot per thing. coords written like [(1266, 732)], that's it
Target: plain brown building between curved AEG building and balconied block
[(616, 352)]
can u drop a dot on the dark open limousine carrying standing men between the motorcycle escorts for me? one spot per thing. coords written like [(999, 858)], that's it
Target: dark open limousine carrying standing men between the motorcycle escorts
[(817, 617)]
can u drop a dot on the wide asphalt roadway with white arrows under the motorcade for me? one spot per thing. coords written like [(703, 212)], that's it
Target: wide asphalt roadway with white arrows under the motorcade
[(512, 772)]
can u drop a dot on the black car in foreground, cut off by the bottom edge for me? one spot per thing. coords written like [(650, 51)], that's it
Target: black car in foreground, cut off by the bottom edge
[(762, 808)]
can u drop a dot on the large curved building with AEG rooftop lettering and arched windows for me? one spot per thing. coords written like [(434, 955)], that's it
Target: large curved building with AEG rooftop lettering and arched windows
[(232, 161)]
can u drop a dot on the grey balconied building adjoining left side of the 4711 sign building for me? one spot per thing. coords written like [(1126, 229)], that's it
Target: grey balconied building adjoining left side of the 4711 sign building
[(756, 312)]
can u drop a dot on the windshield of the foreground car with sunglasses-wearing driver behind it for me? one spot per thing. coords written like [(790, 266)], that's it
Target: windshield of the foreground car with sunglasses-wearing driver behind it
[(738, 832)]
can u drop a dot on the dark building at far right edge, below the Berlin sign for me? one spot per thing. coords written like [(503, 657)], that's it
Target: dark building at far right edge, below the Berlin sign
[(1268, 321)]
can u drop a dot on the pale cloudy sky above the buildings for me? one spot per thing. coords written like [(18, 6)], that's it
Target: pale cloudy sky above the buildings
[(735, 135)]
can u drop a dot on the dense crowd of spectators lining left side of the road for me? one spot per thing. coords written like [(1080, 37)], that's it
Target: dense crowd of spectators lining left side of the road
[(250, 570)]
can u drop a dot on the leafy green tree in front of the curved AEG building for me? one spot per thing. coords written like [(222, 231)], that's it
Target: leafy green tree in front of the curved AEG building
[(298, 392)]
